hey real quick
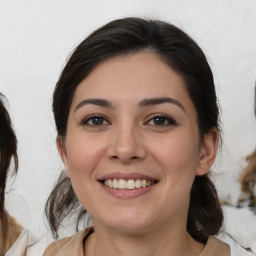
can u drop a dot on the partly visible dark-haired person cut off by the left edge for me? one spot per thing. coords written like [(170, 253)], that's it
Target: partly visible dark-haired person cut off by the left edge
[(14, 239)]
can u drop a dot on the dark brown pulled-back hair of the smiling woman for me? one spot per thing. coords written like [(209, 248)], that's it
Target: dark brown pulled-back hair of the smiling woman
[(127, 36)]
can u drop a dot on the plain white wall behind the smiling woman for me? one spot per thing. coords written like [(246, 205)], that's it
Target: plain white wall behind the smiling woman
[(38, 35)]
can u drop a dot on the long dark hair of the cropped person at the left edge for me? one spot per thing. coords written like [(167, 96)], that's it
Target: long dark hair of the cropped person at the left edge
[(8, 150)]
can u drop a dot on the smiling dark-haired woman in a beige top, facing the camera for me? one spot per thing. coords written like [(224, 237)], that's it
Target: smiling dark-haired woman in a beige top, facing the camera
[(138, 127)]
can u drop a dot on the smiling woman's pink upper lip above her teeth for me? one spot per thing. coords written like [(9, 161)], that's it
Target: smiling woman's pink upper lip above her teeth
[(126, 176)]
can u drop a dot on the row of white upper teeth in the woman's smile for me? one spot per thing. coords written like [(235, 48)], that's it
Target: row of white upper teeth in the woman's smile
[(127, 184)]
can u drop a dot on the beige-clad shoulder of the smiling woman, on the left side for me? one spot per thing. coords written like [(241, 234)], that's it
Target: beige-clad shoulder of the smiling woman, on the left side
[(68, 245)]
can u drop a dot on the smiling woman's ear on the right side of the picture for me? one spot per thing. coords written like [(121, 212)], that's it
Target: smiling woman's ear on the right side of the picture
[(207, 152)]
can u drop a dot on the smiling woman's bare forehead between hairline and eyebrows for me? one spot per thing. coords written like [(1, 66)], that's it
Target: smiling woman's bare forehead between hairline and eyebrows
[(131, 76)]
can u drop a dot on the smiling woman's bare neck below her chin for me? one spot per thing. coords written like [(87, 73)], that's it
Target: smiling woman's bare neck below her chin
[(167, 242)]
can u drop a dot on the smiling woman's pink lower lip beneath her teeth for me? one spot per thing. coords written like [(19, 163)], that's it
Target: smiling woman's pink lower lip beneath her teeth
[(127, 193)]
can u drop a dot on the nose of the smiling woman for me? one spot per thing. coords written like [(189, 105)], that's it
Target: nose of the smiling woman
[(126, 145)]
